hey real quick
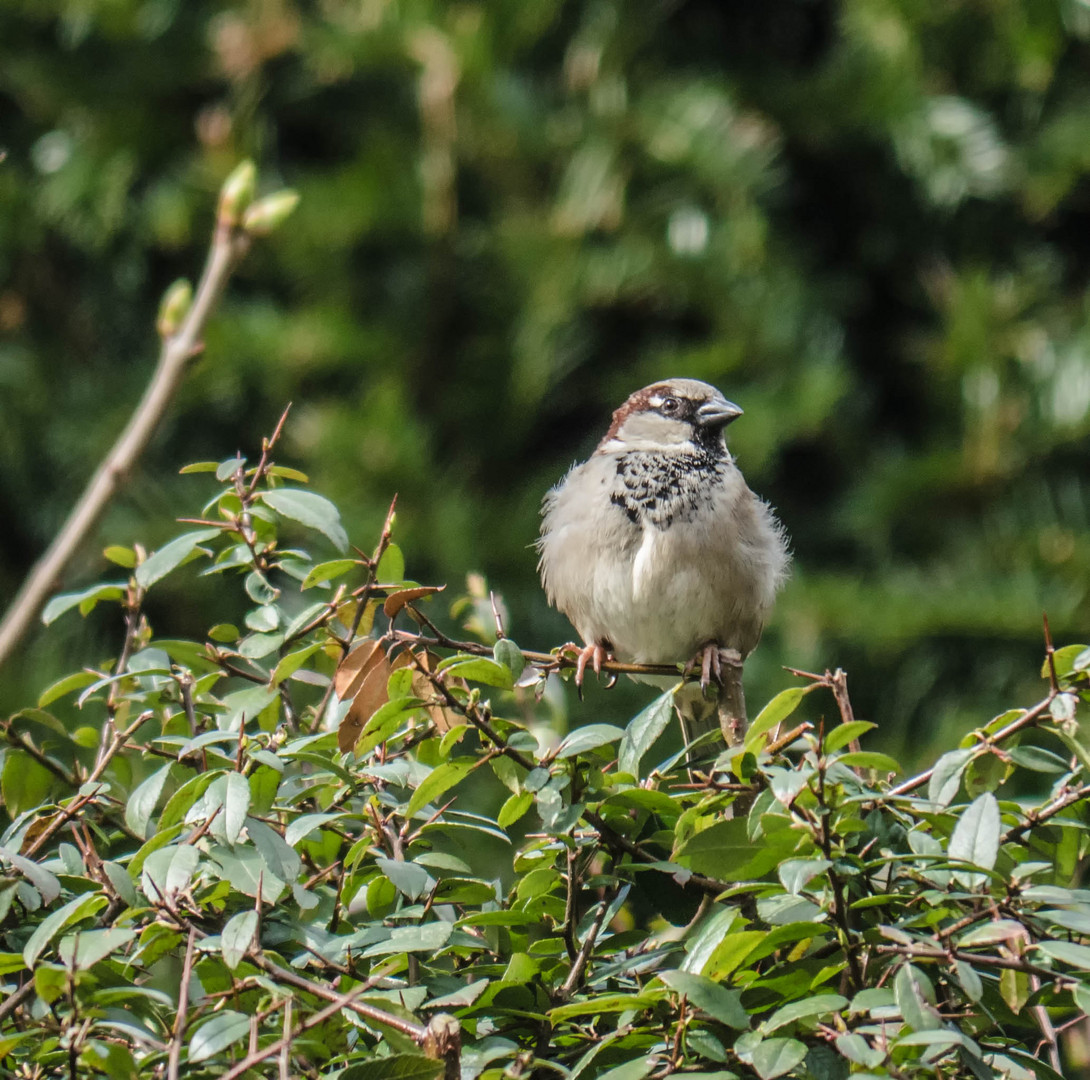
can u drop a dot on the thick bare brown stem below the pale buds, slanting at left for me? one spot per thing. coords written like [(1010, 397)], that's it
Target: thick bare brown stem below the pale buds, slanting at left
[(229, 244)]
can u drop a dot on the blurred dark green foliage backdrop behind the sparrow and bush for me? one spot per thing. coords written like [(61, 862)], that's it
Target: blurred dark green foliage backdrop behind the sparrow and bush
[(868, 223)]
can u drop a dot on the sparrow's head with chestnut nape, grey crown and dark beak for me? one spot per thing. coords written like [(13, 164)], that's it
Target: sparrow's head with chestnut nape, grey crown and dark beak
[(677, 415)]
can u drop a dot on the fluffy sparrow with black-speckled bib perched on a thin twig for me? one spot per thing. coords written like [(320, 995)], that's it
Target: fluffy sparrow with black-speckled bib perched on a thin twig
[(659, 553)]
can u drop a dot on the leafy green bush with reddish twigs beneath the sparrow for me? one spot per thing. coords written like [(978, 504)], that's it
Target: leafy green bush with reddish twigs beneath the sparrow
[(332, 841)]
